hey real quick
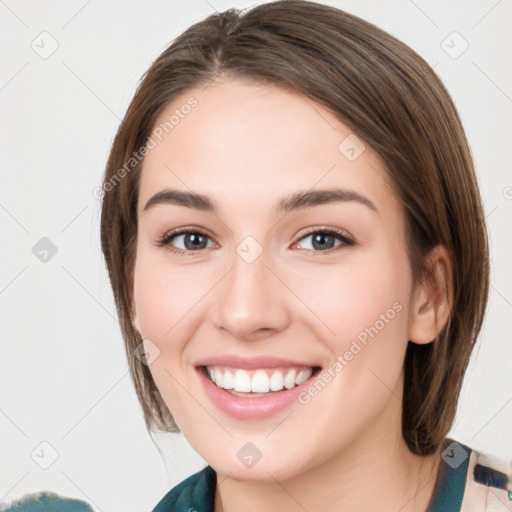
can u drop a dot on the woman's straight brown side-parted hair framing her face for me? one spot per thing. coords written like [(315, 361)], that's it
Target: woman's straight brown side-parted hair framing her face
[(390, 97)]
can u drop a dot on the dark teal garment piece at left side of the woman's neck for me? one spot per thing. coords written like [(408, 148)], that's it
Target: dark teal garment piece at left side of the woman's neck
[(194, 494)]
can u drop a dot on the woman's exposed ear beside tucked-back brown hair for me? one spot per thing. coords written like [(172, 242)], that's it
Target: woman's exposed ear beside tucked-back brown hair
[(432, 299)]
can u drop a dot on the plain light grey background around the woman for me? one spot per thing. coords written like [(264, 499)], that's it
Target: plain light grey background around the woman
[(63, 368)]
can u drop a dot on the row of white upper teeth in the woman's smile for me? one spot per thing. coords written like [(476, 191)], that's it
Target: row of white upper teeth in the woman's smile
[(262, 381)]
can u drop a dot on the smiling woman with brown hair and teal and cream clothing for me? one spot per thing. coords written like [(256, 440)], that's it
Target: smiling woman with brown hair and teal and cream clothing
[(295, 240)]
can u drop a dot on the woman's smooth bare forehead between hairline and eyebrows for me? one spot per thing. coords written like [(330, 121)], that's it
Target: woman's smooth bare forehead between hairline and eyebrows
[(243, 142)]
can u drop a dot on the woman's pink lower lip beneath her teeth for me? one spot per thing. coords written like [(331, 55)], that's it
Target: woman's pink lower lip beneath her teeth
[(245, 408)]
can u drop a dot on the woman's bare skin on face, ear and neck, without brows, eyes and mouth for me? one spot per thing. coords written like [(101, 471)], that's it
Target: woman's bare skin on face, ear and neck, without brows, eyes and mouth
[(247, 146)]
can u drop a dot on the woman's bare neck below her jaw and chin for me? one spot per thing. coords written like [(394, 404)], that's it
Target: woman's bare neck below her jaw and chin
[(375, 473)]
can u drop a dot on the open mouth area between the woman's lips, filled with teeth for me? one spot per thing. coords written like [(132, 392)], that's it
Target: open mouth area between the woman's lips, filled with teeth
[(258, 382)]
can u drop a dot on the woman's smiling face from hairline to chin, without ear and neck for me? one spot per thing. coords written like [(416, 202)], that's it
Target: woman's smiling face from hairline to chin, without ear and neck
[(289, 263)]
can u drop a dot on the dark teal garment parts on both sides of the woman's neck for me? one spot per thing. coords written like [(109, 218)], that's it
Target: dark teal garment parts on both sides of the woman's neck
[(197, 492)]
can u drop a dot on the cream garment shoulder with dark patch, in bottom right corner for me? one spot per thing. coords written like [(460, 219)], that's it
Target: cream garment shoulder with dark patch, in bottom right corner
[(488, 484)]
